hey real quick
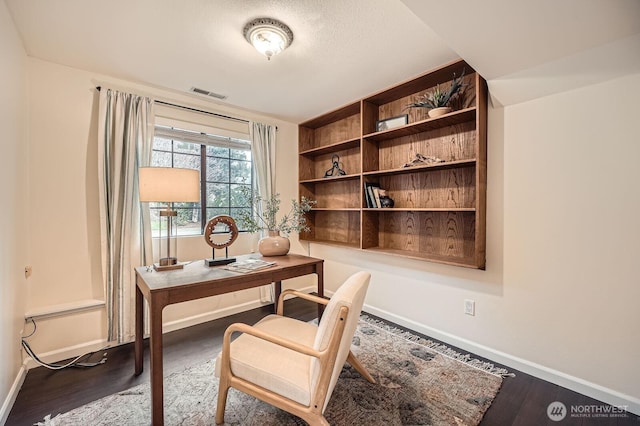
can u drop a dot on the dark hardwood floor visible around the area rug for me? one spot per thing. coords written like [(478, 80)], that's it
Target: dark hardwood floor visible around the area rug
[(522, 400)]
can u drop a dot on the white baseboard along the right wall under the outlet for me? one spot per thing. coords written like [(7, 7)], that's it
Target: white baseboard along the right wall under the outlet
[(576, 384)]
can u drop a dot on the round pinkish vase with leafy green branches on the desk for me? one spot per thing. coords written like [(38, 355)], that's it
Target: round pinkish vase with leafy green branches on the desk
[(264, 216)]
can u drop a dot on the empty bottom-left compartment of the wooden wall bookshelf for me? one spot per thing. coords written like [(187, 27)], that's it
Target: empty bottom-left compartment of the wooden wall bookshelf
[(336, 226)]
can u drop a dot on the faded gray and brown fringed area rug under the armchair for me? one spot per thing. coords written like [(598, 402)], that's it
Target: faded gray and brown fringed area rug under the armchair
[(419, 382)]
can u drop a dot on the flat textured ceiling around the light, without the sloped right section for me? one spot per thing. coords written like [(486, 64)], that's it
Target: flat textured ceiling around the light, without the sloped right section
[(342, 50)]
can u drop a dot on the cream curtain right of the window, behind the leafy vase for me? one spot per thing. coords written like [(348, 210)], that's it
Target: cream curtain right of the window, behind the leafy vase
[(263, 155)]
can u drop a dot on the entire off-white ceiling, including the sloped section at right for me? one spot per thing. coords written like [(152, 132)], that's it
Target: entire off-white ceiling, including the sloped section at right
[(343, 49)]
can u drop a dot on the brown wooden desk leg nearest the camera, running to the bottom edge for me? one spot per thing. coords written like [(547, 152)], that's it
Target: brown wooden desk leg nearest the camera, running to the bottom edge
[(155, 349)]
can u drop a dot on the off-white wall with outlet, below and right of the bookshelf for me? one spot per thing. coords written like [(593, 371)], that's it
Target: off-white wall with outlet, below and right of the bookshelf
[(560, 294)]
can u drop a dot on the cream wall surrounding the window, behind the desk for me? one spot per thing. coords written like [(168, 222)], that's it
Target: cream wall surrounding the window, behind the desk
[(63, 208)]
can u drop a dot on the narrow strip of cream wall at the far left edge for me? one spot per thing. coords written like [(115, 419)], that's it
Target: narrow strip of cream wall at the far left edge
[(14, 231)]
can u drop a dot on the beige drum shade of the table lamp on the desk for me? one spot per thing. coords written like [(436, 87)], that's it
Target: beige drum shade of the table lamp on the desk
[(169, 185)]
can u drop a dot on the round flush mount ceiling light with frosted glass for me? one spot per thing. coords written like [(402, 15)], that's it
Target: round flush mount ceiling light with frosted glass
[(268, 36)]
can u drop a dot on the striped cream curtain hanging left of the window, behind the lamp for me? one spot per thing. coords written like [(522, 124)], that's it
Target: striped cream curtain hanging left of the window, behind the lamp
[(125, 135)]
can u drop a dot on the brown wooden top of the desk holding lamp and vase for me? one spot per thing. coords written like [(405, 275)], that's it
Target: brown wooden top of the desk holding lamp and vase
[(197, 272)]
